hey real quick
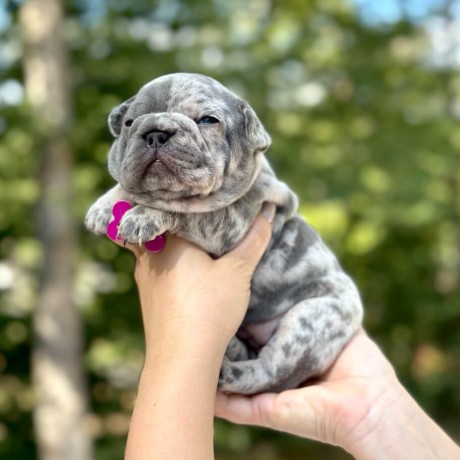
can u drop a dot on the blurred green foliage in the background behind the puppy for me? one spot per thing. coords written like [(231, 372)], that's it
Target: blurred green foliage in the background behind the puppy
[(364, 119)]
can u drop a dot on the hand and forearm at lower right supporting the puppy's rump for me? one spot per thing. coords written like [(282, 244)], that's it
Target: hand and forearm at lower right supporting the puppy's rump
[(359, 405)]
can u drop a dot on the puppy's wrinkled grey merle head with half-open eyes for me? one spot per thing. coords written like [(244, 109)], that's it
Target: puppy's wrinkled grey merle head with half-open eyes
[(185, 136)]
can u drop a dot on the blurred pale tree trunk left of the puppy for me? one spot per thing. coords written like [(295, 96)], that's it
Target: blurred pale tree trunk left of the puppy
[(57, 356)]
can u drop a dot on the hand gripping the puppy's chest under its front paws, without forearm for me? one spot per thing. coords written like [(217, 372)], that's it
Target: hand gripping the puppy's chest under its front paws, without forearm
[(192, 302)]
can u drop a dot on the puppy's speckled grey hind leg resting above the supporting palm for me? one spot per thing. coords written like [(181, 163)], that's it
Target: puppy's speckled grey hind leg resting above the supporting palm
[(307, 341)]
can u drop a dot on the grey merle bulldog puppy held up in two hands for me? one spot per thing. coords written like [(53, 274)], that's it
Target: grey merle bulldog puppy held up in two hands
[(189, 155)]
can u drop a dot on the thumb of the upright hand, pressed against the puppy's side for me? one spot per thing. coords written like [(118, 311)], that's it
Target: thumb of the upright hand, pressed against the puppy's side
[(252, 247)]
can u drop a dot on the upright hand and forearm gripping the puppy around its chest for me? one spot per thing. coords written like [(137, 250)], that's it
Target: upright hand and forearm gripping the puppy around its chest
[(191, 307)]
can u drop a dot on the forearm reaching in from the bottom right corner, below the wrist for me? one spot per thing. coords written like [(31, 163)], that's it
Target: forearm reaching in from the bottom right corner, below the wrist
[(401, 430)]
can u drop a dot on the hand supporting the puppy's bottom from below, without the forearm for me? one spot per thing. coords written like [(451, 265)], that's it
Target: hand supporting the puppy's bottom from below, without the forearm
[(339, 409)]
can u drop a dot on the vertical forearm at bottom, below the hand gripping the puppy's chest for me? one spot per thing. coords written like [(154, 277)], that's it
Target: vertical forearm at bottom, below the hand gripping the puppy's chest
[(173, 414)]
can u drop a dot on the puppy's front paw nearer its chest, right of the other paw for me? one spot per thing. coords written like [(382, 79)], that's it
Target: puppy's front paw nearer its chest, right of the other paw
[(140, 225)]
